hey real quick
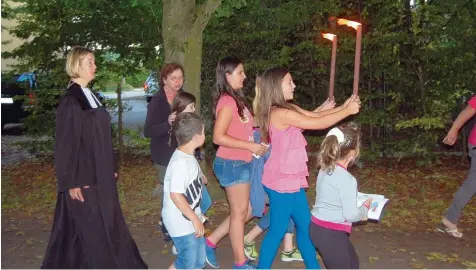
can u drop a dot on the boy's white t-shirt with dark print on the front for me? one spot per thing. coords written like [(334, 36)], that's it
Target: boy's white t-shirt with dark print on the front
[(183, 175)]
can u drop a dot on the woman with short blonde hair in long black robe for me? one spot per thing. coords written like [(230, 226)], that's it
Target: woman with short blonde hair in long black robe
[(89, 229)]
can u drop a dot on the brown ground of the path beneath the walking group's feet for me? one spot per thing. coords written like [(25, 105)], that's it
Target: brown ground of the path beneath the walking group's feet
[(24, 241)]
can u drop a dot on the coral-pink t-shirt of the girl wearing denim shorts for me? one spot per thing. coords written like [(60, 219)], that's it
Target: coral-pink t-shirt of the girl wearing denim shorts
[(241, 129)]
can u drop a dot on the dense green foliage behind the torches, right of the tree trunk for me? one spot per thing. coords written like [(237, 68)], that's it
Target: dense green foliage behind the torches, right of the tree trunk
[(421, 53)]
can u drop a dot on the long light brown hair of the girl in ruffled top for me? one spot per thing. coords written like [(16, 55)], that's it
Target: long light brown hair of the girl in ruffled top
[(270, 96)]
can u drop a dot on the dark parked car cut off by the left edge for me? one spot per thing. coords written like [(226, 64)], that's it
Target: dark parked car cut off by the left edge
[(21, 85)]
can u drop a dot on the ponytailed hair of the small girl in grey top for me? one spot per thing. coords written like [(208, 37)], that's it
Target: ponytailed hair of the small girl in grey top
[(331, 150)]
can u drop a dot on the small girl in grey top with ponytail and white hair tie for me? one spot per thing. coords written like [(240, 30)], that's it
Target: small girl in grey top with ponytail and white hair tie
[(336, 199)]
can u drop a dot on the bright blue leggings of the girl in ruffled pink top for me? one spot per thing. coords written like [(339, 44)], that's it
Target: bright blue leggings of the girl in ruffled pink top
[(282, 207)]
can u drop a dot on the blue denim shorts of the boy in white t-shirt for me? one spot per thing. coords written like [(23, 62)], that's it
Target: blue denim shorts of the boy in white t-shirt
[(190, 252)]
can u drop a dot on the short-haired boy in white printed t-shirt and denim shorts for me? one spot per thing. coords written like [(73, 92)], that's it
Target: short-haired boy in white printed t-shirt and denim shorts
[(183, 193)]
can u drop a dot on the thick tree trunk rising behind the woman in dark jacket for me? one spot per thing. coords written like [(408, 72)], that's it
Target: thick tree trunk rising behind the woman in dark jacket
[(183, 24)]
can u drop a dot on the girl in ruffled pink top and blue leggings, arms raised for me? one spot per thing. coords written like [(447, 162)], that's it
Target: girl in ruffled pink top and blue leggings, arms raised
[(285, 172)]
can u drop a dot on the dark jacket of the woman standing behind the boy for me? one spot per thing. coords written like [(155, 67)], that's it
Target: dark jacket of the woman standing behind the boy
[(157, 128)]
